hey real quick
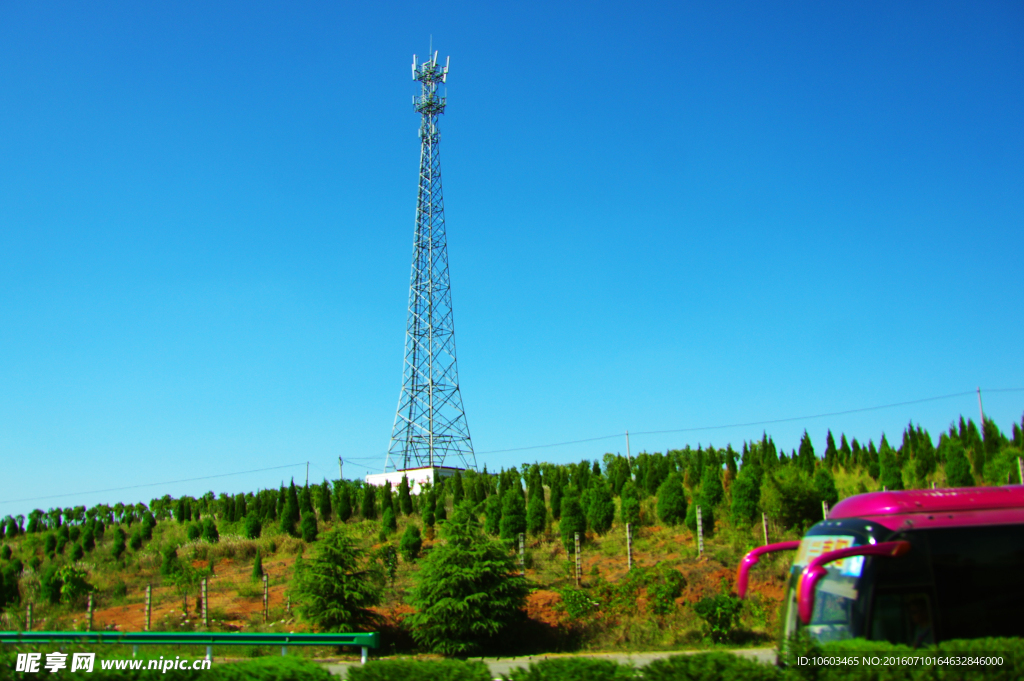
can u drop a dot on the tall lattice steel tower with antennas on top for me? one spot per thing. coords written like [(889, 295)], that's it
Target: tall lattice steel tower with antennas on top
[(431, 423)]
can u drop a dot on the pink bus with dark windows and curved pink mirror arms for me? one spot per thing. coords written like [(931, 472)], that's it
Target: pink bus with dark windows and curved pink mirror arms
[(914, 568)]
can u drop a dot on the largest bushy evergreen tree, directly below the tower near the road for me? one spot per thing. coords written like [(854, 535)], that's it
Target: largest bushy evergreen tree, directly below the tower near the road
[(467, 592)]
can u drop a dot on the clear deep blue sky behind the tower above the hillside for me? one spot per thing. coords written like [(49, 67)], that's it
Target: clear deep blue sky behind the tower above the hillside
[(661, 217)]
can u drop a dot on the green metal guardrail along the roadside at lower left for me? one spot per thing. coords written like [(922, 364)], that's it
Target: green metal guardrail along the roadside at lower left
[(209, 640)]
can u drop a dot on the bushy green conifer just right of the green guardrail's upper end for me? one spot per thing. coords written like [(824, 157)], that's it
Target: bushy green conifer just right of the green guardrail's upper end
[(334, 590)]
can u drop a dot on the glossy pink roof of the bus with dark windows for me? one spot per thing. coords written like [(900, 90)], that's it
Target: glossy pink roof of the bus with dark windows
[(948, 507)]
